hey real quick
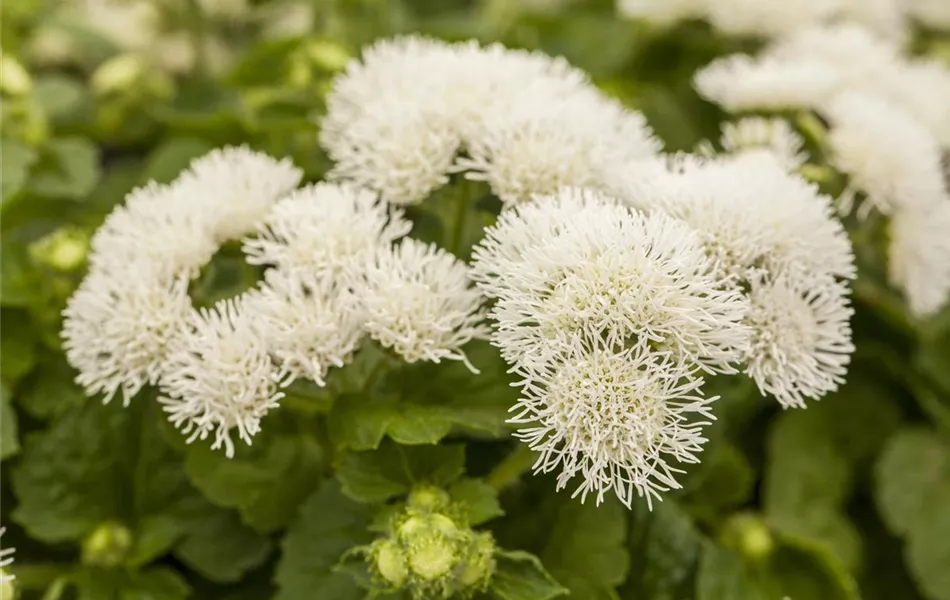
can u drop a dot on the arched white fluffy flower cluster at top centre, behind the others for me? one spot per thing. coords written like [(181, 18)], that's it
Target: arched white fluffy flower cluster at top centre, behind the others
[(524, 122)]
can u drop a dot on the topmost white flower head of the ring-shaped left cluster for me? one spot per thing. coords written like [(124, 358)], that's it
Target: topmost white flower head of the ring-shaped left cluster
[(238, 186)]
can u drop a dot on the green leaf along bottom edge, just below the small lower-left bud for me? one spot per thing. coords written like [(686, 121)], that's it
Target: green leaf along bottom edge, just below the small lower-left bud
[(157, 583)]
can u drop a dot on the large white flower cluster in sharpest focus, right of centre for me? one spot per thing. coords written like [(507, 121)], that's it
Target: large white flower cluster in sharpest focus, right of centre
[(611, 316)]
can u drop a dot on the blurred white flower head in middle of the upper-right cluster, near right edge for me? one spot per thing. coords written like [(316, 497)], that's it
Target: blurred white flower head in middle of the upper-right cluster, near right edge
[(887, 153)]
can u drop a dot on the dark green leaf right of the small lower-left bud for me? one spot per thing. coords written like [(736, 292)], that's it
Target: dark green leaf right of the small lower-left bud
[(221, 548)]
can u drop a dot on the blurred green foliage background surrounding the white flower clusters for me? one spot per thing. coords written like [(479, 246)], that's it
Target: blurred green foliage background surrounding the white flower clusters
[(848, 499)]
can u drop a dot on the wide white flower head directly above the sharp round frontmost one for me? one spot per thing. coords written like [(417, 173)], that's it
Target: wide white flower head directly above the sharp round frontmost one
[(609, 275)]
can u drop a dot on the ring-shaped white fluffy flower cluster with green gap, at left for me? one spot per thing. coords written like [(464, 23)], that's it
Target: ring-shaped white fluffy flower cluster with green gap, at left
[(333, 275)]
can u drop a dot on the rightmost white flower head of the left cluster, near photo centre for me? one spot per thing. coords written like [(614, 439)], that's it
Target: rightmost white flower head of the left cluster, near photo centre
[(418, 300)]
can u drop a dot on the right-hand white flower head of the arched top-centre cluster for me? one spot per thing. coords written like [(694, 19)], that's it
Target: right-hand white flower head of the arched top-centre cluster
[(537, 149)]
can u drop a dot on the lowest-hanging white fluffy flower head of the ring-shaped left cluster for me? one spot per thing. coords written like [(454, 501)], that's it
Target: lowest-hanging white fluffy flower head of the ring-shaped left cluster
[(219, 376)]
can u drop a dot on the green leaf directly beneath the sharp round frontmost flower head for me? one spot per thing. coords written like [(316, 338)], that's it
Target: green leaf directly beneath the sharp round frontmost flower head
[(587, 550)]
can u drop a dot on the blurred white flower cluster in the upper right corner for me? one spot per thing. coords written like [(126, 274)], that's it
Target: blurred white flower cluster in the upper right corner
[(889, 127)]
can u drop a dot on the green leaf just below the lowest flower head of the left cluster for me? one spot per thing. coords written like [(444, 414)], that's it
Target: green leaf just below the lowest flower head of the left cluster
[(265, 482)]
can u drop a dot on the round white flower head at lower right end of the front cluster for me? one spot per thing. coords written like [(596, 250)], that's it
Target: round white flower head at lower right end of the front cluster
[(801, 337)]
